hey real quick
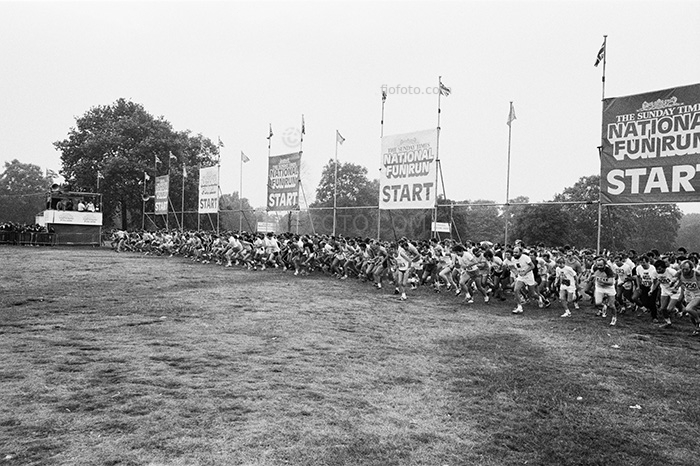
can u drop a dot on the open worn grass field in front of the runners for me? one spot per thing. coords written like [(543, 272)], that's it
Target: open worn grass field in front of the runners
[(121, 359)]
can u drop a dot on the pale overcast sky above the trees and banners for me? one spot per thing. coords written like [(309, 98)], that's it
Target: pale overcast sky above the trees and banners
[(229, 69)]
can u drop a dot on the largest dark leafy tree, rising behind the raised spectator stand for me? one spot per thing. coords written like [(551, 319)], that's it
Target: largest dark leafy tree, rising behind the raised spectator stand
[(114, 145)]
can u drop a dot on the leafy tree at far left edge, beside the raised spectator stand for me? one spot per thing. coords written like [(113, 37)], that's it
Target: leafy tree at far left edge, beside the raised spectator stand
[(23, 191)]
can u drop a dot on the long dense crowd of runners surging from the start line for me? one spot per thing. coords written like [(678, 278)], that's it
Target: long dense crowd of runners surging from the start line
[(664, 286)]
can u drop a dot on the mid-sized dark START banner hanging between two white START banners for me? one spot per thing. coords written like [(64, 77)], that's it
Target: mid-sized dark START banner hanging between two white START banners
[(283, 182)]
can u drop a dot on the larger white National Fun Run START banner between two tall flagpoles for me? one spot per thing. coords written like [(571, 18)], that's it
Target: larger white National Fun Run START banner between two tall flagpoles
[(407, 179)]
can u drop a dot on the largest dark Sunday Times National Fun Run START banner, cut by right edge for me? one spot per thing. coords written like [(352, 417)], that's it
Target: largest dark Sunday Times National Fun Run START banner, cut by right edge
[(651, 147)]
